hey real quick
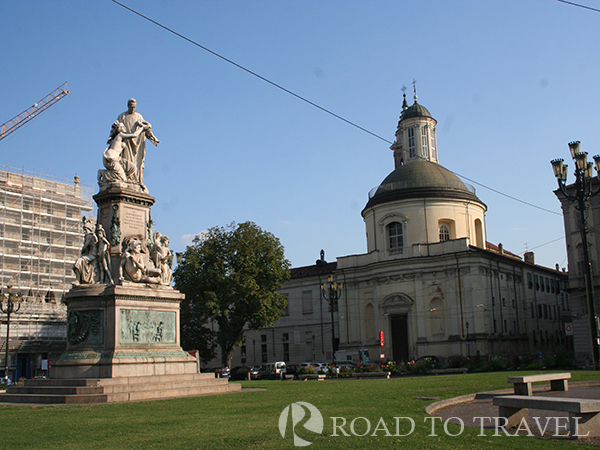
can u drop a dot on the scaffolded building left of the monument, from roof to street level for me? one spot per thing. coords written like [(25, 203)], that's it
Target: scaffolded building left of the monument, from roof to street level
[(40, 238)]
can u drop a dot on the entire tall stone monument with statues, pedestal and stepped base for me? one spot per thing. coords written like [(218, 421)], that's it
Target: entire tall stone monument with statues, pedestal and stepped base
[(122, 312)]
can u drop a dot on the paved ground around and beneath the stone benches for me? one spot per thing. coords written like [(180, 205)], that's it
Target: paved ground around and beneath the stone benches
[(482, 406)]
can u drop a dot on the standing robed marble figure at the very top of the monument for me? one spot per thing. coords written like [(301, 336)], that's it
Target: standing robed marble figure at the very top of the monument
[(135, 149)]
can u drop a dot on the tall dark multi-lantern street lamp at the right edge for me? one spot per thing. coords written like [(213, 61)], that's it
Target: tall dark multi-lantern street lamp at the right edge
[(583, 191)]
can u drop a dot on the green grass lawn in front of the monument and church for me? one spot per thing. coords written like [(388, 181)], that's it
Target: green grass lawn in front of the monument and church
[(249, 420)]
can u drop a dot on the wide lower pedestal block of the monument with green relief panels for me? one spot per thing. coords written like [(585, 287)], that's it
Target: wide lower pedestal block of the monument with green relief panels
[(125, 330)]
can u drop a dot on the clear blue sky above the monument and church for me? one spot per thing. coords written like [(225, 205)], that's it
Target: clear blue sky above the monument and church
[(509, 82)]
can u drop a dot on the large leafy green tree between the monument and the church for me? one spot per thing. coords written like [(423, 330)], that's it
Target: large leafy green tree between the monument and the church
[(230, 275)]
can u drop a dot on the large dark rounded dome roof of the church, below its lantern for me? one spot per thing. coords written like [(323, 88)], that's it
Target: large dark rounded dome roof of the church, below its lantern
[(419, 179)]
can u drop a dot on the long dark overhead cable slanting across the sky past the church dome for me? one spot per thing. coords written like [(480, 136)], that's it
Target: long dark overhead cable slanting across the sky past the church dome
[(337, 116)]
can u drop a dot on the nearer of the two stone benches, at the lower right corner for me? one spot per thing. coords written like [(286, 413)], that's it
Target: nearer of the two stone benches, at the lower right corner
[(584, 414)]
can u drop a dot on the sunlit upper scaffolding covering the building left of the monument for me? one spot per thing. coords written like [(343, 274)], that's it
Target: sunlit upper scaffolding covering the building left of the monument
[(40, 232)]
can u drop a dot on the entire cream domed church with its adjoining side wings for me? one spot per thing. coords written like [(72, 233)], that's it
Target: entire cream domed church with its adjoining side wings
[(429, 280)]
